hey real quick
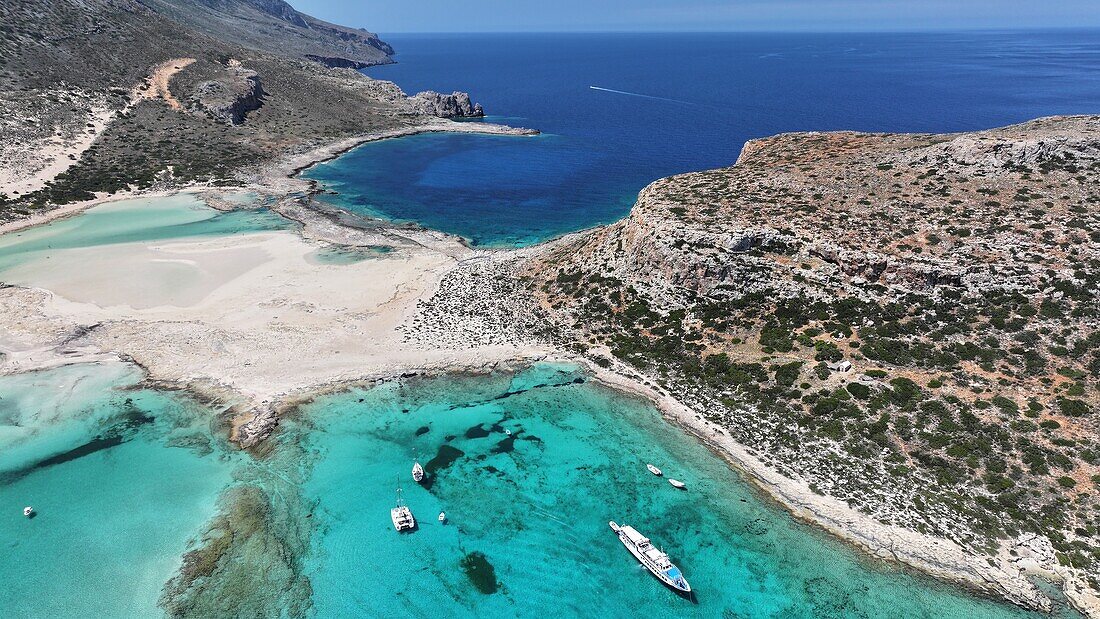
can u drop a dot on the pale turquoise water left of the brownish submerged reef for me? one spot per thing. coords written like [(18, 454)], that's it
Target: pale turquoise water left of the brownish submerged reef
[(122, 479)]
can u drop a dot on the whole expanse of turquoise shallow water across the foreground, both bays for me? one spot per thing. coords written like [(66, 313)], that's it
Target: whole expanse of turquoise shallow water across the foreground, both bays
[(127, 480)]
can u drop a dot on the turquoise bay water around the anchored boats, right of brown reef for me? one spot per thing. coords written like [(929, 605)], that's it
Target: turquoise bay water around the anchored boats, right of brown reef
[(536, 505)]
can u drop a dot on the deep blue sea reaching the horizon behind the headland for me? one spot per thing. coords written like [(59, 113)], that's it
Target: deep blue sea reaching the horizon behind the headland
[(685, 103)]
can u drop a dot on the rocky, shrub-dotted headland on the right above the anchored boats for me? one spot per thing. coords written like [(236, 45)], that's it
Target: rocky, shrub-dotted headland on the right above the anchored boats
[(956, 274)]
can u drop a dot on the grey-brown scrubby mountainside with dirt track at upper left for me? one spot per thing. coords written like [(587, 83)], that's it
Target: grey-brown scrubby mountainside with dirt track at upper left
[(100, 96)]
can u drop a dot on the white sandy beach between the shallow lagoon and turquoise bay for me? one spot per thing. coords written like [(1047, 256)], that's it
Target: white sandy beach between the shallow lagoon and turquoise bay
[(250, 313)]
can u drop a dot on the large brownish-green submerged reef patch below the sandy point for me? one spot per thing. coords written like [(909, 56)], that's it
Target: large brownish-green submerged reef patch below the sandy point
[(249, 560)]
